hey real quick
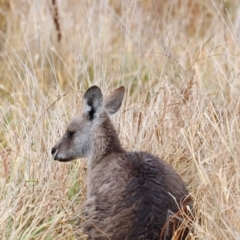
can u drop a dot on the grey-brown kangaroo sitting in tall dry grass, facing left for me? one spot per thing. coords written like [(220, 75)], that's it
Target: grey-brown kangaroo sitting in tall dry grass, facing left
[(130, 195)]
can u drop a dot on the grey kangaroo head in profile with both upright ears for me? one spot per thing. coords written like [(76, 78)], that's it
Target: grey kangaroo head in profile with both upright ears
[(77, 141)]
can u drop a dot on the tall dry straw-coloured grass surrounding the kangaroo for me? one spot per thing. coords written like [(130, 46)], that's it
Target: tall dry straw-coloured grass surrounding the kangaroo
[(179, 61)]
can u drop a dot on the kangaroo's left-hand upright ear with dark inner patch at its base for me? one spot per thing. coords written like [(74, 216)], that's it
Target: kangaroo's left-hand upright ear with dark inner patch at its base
[(93, 101)]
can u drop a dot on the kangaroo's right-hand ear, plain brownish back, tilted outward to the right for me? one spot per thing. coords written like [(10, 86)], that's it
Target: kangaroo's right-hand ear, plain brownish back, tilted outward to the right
[(114, 101)]
